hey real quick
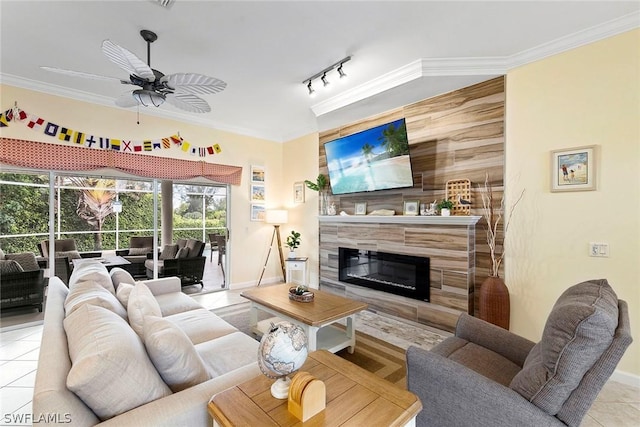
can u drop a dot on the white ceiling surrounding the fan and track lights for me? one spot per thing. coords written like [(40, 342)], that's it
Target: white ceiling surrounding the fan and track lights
[(401, 51)]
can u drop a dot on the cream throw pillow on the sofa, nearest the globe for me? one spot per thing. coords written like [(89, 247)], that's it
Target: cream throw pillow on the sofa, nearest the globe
[(173, 354)]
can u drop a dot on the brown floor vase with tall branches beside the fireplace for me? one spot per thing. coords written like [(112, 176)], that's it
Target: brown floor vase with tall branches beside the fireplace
[(494, 304)]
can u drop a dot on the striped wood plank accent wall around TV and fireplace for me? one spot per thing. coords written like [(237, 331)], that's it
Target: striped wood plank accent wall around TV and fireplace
[(457, 135)]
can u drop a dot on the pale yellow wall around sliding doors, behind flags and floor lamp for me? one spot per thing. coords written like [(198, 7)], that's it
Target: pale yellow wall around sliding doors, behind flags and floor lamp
[(237, 150)]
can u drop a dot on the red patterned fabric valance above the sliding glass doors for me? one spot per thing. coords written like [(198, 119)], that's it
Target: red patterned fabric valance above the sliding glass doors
[(41, 155)]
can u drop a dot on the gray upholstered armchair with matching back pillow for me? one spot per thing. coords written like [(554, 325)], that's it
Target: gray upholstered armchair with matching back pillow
[(485, 375)]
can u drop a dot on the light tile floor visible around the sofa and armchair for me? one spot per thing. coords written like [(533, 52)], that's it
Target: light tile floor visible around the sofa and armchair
[(618, 405)]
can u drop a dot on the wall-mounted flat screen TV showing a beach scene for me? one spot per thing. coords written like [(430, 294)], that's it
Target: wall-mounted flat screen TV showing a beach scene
[(373, 159)]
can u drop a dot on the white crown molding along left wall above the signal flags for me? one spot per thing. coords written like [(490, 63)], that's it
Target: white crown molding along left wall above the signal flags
[(106, 101)]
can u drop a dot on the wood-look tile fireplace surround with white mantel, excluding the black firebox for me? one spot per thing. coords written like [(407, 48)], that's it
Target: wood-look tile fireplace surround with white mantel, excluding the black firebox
[(449, 242)]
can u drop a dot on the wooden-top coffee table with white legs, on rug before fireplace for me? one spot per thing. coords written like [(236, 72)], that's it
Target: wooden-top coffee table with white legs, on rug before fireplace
[(316, 317)]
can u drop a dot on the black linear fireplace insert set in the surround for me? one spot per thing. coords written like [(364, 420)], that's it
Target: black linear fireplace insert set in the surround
[(398, 274)]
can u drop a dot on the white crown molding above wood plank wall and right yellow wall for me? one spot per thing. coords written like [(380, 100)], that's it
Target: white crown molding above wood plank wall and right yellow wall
[(475, 66)]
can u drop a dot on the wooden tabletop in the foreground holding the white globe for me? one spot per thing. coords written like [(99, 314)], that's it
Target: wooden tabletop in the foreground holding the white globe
[(354, 397)]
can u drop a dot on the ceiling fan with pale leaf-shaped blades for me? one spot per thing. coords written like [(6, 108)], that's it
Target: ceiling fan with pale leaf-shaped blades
[(178, 89)]
